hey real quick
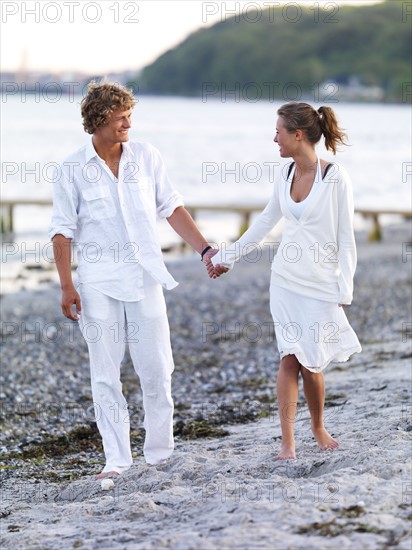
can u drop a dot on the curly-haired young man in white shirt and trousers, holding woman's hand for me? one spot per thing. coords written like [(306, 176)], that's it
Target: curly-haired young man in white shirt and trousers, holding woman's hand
[(106, 199)]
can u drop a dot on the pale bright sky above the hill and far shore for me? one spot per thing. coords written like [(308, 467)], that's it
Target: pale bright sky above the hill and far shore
[(115, 35)]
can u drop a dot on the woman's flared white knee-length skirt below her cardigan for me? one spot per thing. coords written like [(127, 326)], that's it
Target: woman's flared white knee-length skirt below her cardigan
[(315, 331)]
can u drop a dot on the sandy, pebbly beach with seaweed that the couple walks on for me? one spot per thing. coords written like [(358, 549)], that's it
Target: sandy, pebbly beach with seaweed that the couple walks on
[(222, 487)]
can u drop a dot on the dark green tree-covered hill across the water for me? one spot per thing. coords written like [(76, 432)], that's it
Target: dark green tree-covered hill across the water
[(287, 48)]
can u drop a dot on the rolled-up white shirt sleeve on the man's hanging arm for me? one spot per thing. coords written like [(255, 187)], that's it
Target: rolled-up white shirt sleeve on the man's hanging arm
[(65, 207)]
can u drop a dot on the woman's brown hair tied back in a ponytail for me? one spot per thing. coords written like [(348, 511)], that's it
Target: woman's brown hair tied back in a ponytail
[(302, 116)]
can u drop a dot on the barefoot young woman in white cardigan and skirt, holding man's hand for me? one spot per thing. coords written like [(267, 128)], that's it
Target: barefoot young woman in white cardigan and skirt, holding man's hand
[(313, 269)]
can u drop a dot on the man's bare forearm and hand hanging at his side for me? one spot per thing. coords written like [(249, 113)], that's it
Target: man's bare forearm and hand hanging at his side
[(62, 256)]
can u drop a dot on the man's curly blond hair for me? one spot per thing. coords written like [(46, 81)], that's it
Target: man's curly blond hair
[(101, 101)]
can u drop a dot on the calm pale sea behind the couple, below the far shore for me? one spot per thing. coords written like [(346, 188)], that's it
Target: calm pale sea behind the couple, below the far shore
[(215, 152)]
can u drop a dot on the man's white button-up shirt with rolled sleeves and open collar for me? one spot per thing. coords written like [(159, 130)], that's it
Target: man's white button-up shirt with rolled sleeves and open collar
[(112, 221)]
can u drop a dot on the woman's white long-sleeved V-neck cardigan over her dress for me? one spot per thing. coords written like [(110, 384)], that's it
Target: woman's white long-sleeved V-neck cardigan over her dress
[(317, 253)]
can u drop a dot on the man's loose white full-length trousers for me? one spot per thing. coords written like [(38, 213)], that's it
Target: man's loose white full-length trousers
[(107, 325)]
